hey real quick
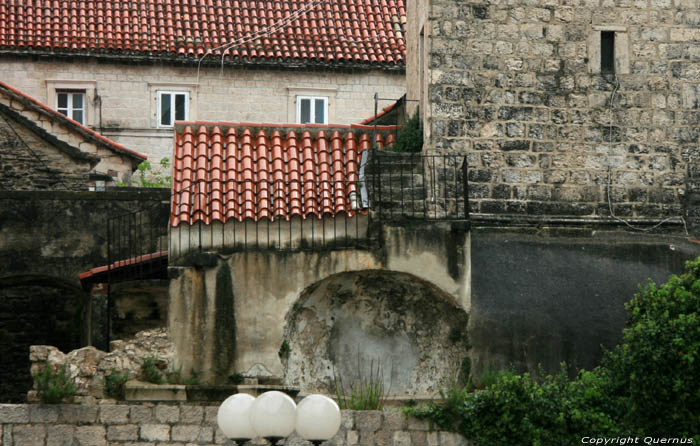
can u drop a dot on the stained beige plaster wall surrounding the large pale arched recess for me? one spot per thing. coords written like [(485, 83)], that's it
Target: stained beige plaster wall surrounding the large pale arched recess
[(264, 286)]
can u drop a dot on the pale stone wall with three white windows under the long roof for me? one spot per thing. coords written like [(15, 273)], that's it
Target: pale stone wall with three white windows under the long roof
[(126, 110)]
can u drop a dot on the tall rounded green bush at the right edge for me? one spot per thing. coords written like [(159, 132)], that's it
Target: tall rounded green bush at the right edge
[(657, 367)]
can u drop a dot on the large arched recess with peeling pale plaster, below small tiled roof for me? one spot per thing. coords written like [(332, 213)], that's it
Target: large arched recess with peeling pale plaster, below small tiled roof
[(353, 321)]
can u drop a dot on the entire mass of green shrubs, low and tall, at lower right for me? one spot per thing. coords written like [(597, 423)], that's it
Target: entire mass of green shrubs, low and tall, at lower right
[(647, 386)]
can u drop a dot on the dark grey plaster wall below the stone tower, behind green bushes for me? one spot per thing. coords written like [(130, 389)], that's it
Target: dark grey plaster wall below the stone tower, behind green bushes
[(542, 296)]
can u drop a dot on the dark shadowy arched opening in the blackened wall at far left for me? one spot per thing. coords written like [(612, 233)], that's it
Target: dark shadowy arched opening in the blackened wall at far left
[(35, 310)]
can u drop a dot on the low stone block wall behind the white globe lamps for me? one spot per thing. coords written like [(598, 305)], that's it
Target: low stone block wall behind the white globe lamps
[(161, 424)]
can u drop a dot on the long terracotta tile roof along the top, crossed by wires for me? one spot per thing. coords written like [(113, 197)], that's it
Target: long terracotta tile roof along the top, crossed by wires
[(326, 31)]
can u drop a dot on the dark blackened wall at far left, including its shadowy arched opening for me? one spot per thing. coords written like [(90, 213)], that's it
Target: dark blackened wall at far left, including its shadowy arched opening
[(46, 239)]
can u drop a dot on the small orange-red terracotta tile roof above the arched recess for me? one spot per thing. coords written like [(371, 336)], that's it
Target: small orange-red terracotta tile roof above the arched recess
[(228, 171)]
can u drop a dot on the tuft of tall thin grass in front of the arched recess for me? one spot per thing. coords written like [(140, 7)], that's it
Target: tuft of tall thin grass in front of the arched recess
[(366, 393)]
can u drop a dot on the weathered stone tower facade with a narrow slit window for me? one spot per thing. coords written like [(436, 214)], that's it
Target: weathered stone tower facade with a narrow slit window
[(585, 109)]
